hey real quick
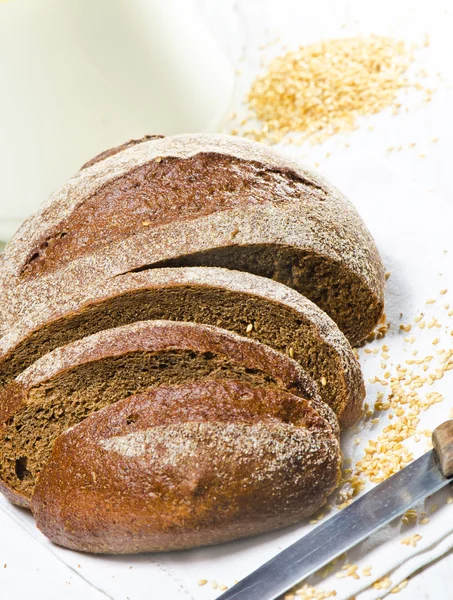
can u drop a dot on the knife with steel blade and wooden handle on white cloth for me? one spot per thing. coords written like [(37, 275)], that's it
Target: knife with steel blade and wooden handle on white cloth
[(373, 510)]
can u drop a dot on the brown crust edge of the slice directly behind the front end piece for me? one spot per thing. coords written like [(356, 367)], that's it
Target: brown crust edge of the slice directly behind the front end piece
[(155, 336)]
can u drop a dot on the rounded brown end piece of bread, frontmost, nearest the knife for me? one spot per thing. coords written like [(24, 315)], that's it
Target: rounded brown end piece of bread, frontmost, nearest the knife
[(184, 466)]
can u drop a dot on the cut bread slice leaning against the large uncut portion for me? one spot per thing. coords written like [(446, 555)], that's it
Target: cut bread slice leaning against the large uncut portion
[(247, 304)]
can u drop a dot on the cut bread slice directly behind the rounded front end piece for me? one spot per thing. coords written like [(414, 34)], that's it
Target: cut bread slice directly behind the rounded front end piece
[(65, 386)]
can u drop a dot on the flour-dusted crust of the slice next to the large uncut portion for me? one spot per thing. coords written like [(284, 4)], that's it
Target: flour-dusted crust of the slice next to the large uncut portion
[(345, 380)]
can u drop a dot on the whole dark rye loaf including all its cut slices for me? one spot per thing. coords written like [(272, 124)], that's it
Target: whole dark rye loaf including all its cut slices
[(172, 370)]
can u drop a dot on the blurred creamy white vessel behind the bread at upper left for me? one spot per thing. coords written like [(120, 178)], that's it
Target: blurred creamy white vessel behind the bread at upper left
[(80, 76)]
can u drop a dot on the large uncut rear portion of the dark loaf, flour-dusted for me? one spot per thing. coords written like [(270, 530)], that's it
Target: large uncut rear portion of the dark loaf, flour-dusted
[(191, 200)]
